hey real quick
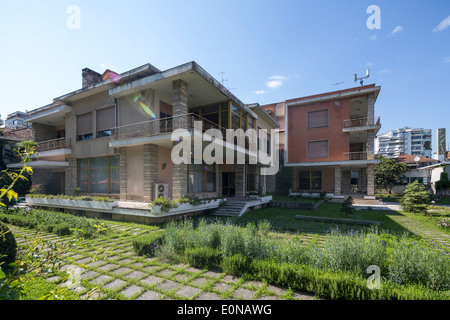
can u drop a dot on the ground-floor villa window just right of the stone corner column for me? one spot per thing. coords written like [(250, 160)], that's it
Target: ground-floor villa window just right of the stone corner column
[(202, 178)]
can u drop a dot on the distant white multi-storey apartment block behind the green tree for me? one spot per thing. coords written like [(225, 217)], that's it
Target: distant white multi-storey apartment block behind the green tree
[(402, 141)]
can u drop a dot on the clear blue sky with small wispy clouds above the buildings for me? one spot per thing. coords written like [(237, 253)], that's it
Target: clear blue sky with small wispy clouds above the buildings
[(267, 51)]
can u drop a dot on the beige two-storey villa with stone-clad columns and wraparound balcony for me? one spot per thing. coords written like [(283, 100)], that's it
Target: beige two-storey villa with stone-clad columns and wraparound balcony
[(113, 136)]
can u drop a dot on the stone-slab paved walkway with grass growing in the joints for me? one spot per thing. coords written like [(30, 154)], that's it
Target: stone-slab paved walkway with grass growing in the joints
[(113, 267)]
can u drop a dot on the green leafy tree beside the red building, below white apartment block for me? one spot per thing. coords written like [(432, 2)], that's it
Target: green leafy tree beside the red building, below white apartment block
[(388, 171)]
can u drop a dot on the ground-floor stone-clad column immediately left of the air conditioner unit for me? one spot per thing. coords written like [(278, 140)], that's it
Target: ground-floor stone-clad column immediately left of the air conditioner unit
[(150, 171)]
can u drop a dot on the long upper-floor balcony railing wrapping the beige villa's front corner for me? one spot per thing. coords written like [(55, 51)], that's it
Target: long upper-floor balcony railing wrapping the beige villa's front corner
[(164, 125)]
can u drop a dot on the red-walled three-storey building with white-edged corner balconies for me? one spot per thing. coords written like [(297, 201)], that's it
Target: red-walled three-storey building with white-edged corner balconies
[(329, 141)]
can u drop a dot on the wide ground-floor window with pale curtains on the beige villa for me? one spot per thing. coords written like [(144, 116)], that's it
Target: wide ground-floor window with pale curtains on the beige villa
[(99, 175)]
